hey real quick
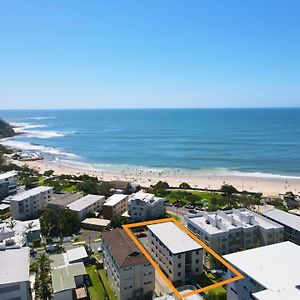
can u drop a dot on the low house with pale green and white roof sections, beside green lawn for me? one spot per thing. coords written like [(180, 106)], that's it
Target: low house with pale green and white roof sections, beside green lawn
[(68, 273)]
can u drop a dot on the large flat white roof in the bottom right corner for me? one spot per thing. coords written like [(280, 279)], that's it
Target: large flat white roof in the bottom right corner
[(276, 267)]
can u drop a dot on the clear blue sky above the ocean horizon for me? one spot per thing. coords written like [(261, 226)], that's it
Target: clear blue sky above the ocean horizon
[(149, 54)]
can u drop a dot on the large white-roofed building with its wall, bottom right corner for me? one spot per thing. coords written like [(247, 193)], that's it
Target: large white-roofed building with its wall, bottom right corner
[(271, 273)]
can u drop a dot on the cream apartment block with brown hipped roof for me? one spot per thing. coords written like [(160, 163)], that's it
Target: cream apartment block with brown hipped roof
[(129, 272)]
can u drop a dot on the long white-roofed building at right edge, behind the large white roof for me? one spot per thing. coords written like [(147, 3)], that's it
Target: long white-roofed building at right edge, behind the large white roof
[(290, 222)]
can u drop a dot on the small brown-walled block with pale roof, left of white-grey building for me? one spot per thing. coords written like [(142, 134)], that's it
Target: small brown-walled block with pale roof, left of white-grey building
[(115, 205)]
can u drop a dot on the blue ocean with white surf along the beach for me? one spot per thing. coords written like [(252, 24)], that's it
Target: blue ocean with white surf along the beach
[(263, 142)]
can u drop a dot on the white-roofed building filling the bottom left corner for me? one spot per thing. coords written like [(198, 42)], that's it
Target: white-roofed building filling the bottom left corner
[(14, 274)]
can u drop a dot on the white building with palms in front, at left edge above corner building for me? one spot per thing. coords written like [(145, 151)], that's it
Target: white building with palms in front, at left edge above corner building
[(16, 234)]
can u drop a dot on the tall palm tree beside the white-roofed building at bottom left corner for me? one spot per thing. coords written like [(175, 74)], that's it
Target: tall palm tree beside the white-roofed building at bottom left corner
[(42, 285)]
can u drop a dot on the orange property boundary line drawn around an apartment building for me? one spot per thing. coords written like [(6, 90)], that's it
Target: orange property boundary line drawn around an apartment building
[(157, 268)]
